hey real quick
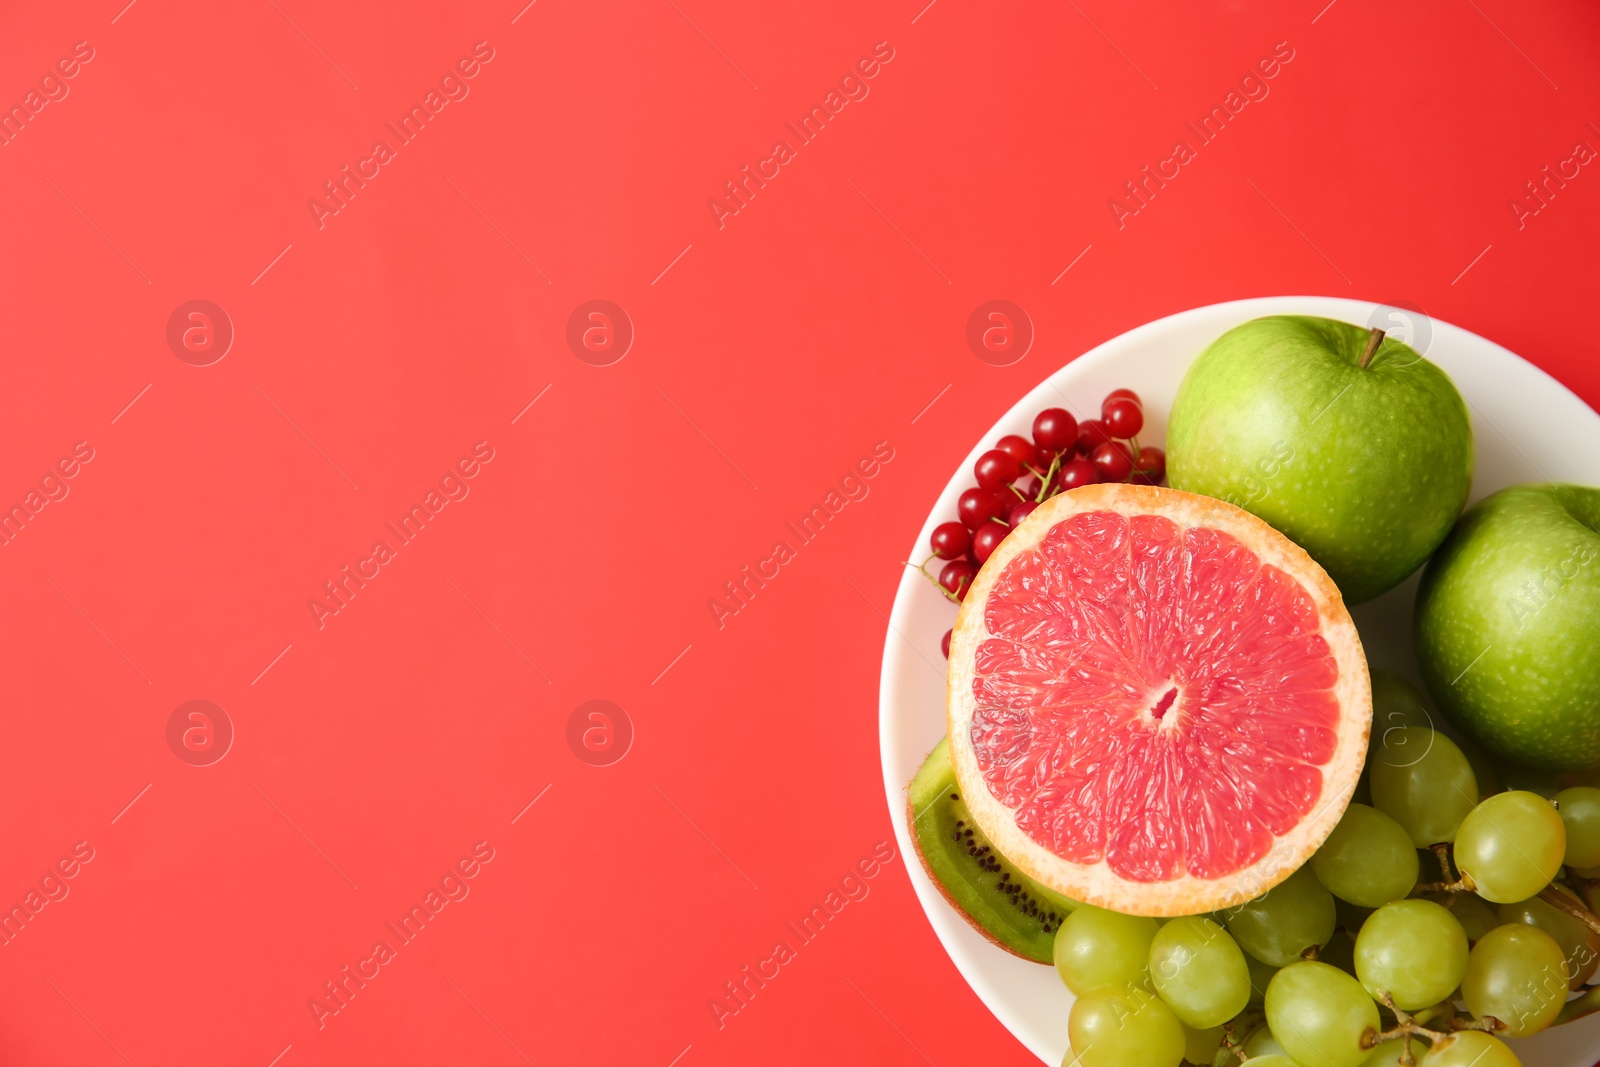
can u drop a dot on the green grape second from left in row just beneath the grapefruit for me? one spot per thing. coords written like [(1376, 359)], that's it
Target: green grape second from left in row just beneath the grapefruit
[(1199, 972)]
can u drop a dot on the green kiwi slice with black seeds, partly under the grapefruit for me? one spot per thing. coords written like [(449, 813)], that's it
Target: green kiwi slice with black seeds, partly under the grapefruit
[(985, 887)]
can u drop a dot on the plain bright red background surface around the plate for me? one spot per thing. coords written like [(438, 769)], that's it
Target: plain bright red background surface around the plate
[(769, 359)]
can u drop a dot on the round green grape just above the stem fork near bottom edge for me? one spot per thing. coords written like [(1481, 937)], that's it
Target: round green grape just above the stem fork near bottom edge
[(1415, 951)]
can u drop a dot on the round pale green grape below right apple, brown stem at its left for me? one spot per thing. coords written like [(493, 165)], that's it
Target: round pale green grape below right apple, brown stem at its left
[(1511, 847)]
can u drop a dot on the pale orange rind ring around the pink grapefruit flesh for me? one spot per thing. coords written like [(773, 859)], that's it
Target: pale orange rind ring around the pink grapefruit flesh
[(1098, 884)]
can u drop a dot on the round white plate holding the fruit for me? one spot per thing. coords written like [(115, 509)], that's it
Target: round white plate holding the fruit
[(1527, 426)]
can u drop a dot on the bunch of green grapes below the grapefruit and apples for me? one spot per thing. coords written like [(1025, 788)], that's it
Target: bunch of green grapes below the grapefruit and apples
[(1433, 924)]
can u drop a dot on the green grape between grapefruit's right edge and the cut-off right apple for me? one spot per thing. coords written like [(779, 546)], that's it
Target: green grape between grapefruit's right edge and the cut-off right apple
[(1425, 783)]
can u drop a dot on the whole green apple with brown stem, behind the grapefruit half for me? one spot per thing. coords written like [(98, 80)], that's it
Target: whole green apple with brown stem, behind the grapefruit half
[(1348, 442)]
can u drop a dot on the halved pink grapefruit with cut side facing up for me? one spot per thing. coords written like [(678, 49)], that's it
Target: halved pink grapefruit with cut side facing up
[(1158, 703)]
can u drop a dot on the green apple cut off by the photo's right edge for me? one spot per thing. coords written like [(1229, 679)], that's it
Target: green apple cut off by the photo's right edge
[(1508, 626)]
